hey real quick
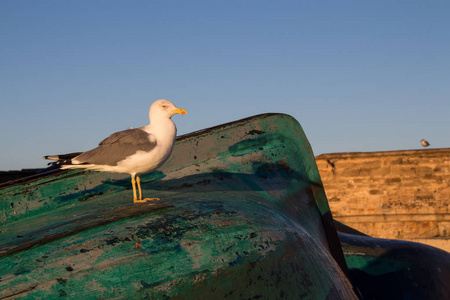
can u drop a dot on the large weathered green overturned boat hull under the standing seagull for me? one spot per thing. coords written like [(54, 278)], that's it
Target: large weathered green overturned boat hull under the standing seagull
[(242, 214)]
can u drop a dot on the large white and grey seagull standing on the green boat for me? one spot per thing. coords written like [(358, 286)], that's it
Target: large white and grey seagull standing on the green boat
[(133, 151)]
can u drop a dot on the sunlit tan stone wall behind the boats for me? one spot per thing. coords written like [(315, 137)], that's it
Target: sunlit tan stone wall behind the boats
[(395, 195)]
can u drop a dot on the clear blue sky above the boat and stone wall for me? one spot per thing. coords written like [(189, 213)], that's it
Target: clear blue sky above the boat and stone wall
[(357, 75)]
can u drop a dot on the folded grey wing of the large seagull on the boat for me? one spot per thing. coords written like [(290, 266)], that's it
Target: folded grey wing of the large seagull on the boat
[(118, 146)]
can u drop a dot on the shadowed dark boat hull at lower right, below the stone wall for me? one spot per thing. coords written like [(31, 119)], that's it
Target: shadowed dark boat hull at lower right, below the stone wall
[(395, 269)]
